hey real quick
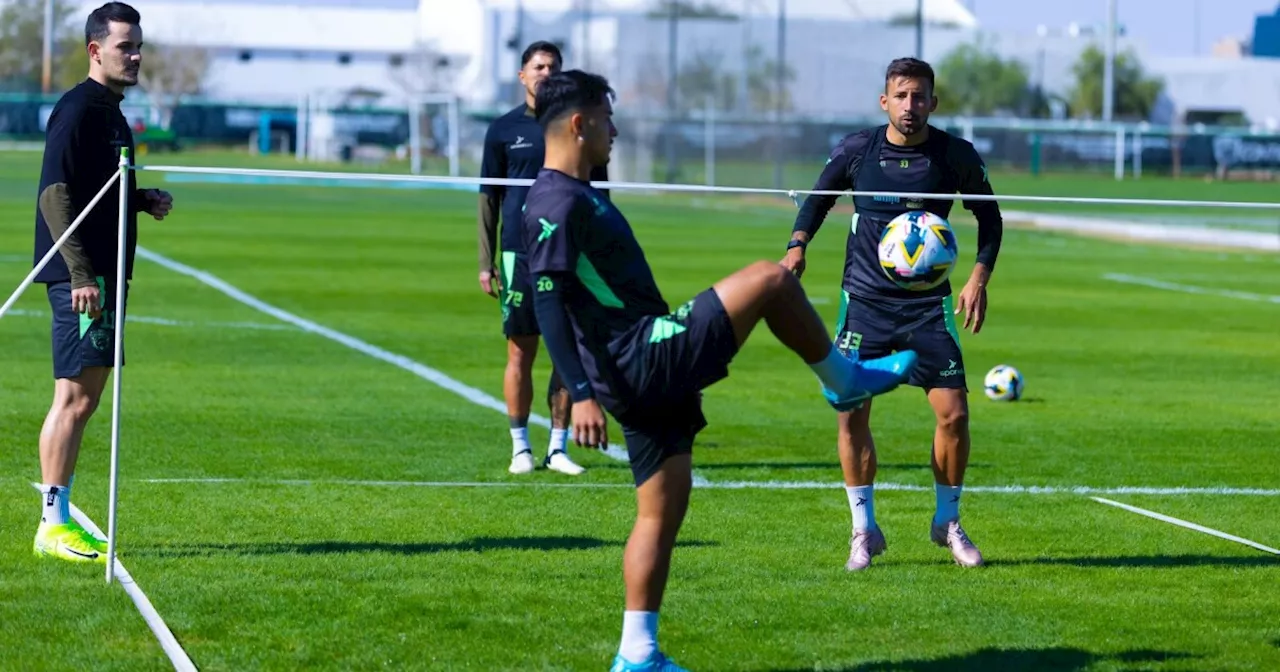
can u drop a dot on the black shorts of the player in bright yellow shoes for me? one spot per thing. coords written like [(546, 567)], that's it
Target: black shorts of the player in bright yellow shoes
[(77, 341)]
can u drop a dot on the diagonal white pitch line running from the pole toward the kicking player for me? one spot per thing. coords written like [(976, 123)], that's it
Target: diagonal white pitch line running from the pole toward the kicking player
[(473, 395)]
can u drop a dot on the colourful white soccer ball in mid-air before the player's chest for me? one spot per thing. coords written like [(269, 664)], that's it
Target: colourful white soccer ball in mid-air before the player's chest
[(918, 250)]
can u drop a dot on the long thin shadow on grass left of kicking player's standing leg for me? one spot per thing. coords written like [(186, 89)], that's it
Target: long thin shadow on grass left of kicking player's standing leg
[(481, 545)]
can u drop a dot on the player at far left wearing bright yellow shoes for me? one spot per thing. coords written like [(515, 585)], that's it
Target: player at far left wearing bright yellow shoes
[(84, 140)]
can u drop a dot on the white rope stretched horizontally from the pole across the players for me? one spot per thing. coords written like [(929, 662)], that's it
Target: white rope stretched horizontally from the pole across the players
[(702, 189)]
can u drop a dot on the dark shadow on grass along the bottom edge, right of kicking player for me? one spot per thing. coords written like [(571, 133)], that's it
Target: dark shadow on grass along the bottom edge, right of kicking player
[(1059, 659)]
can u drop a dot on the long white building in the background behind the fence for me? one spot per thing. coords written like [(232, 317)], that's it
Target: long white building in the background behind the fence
[(273, 52)]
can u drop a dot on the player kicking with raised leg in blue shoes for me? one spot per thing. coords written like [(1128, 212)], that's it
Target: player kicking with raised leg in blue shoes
[(620, 349)]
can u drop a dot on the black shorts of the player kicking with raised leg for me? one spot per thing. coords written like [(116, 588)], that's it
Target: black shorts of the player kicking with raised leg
[(666, 362)]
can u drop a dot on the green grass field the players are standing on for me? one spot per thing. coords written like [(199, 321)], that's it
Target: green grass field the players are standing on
[(291, 502)]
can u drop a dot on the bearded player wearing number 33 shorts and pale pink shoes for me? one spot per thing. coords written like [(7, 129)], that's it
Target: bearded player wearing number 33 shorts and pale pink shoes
[(877, 317)]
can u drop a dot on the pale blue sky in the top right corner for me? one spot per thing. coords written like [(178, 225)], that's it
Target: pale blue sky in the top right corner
[(1168, 28)]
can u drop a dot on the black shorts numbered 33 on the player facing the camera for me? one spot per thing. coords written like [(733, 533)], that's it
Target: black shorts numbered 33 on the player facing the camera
[(879, 328)]
